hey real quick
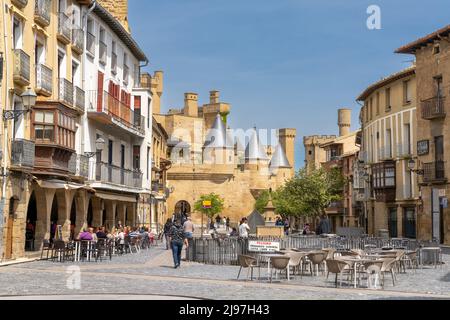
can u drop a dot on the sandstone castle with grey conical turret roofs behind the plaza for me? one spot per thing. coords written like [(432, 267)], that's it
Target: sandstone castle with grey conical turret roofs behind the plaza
[(207, 156)]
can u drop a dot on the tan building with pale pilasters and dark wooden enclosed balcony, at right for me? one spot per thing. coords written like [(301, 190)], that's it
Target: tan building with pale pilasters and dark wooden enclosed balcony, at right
[(389, 135)]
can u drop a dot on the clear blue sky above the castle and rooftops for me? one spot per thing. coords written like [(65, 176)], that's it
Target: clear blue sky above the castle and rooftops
[(285, 63)]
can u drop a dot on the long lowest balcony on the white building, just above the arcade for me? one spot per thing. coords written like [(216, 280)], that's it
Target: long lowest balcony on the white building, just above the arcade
[(115, 175)]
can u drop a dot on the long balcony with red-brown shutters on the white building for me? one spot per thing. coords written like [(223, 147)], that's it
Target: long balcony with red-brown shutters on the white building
[(109, 110)]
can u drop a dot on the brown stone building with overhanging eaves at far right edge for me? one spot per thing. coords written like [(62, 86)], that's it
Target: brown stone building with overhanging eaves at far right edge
[(432, 54)]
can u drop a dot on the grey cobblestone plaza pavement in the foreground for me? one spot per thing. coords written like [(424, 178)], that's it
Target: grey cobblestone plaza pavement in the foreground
[(150, 274)]
